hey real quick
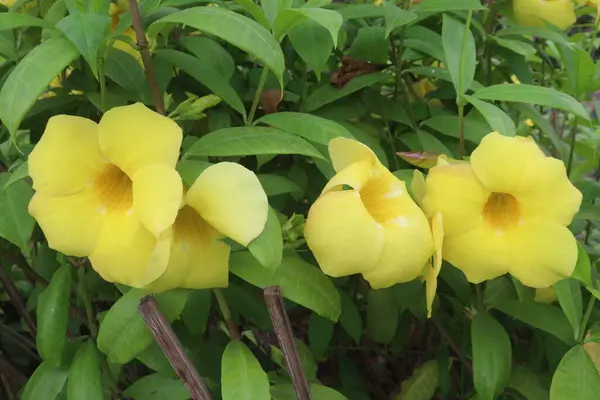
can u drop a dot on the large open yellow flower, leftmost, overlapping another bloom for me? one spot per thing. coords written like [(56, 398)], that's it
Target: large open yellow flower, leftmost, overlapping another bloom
[(109, 190)]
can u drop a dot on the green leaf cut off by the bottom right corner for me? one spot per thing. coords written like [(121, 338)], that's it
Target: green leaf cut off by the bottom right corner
[(576, 377)]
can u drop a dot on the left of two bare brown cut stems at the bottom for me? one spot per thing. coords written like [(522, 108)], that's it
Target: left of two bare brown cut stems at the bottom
[(172, 348)]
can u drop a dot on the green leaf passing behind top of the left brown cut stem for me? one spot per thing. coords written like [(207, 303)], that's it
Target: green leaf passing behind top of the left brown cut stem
[(123, 333)]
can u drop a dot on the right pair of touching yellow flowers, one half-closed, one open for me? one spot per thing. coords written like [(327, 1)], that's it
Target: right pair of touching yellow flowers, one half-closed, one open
[(504, 211)]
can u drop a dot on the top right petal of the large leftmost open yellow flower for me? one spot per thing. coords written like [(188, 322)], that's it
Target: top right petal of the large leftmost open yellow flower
[(133, 137)]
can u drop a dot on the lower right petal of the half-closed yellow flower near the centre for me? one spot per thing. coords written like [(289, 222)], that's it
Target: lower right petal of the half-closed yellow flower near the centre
[(407, 247)]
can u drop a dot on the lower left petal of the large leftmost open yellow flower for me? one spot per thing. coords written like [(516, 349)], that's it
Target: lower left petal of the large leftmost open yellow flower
[(71, 223)]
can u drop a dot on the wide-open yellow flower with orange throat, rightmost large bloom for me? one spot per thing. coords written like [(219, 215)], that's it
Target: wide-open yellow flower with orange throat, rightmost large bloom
[(506, 211)]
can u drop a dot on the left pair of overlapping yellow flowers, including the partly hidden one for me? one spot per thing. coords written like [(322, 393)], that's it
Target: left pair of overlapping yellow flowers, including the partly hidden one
[(110, 191)]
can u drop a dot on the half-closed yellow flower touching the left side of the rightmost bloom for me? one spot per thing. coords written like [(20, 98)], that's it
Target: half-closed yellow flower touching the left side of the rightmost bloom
[(365, 221)]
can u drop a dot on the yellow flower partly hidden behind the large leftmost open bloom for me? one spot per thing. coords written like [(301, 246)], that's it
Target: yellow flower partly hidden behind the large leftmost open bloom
[(226, 199)]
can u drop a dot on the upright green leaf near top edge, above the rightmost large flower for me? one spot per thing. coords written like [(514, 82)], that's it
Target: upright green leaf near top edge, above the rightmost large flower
[(460, 53)]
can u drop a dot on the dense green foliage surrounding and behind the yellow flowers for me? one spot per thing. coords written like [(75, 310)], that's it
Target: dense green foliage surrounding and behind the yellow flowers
[(351, 69)]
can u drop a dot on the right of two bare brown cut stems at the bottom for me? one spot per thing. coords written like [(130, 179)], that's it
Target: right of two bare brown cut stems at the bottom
[(283, 330)]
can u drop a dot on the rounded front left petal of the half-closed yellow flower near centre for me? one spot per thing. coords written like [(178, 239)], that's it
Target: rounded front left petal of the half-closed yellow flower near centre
[(343, 236)]
